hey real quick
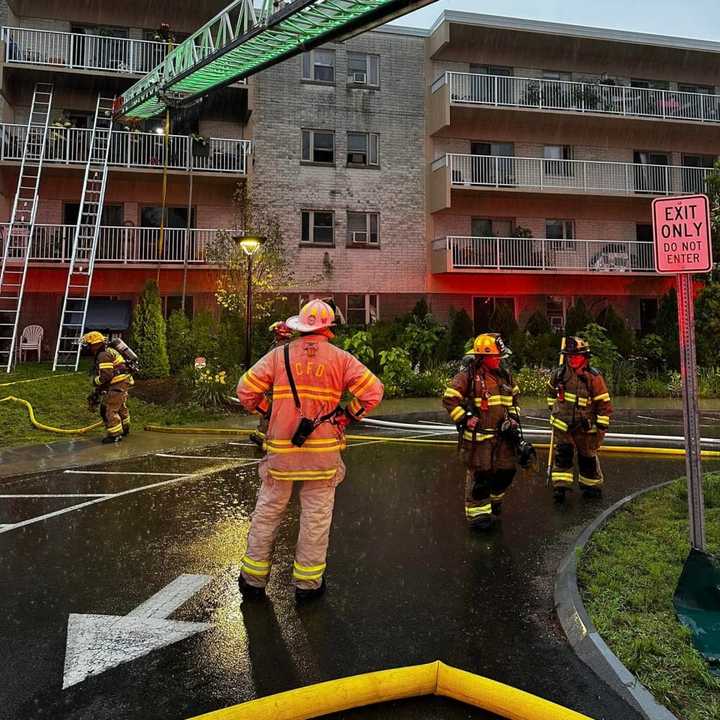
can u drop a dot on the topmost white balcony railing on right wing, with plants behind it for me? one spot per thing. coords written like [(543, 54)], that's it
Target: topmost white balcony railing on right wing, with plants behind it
[(580, 97)]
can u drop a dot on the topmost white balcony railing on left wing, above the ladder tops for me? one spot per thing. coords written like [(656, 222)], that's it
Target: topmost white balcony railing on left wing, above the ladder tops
[(26, 46)]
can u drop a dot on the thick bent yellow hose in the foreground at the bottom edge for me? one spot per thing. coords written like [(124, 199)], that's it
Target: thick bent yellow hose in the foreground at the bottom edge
[(434, 678)]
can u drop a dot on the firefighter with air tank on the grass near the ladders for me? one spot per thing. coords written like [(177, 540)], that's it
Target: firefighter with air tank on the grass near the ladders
[(111, 381)]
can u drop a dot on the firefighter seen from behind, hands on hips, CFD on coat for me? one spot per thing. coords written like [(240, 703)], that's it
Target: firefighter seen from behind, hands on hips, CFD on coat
[(307, 379)]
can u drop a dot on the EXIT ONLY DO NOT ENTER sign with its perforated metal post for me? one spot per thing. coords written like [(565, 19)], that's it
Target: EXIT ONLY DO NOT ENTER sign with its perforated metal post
[(681, 227)]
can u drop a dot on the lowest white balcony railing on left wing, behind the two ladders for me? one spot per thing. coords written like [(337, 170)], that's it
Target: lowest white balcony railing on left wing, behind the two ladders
[(121, 245)]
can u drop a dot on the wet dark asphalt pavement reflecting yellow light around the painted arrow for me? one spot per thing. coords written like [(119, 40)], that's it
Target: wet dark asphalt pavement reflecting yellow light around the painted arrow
[(407, 583)]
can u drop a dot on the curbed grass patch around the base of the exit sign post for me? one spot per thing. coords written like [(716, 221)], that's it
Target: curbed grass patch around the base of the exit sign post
[(628, 574)]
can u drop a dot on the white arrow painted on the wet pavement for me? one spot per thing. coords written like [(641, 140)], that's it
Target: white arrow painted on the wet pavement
[(96, 643)]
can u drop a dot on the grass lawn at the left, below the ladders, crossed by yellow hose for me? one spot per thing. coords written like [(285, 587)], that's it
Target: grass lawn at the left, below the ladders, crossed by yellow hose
[(60, 400)]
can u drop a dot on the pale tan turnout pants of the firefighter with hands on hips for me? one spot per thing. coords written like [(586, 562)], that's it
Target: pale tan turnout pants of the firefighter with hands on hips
[(317, 498)]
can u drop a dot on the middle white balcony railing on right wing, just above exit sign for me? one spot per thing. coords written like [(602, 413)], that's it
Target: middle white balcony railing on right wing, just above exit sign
[(588, 176)]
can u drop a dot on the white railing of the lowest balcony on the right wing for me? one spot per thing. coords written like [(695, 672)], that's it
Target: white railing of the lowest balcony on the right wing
[(455, 254)]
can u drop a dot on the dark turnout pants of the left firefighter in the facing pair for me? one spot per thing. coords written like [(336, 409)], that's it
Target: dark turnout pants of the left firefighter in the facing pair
[(490, 471)]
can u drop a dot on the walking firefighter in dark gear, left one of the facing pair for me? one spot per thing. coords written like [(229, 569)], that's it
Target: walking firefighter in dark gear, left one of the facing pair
[(482, 400)]
